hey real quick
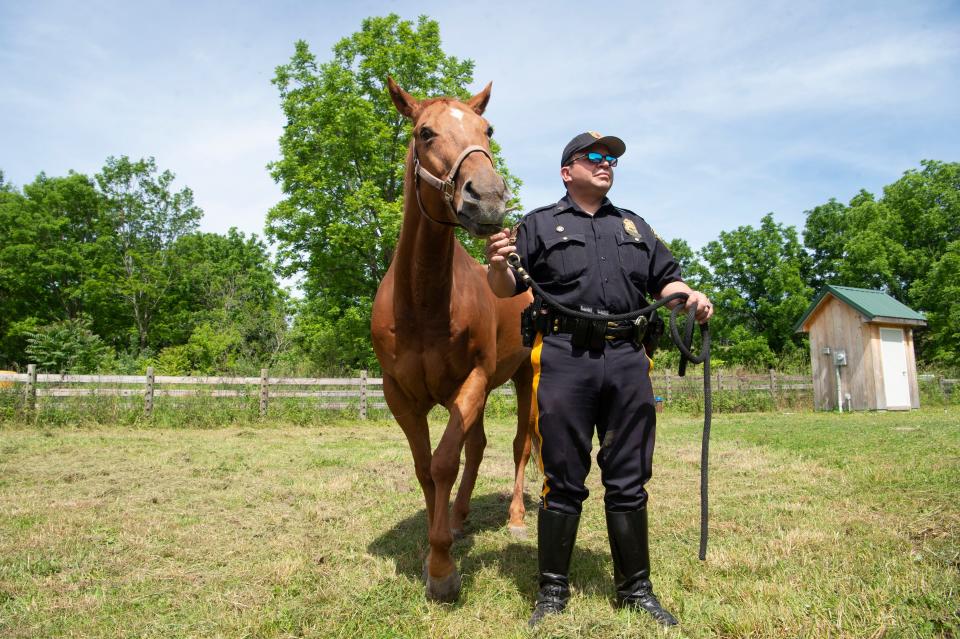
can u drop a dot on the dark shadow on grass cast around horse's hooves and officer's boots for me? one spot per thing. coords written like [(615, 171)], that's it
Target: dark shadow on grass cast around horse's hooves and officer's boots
[(406, 544)]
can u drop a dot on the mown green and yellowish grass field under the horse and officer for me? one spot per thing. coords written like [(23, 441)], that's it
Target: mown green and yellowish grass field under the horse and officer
[(823, 525)]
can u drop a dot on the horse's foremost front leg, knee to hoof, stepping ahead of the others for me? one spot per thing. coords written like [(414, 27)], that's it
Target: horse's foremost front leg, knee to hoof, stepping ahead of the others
[(443, 581)]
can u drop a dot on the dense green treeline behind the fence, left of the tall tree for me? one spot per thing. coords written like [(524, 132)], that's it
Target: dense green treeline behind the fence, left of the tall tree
[(110, 273)]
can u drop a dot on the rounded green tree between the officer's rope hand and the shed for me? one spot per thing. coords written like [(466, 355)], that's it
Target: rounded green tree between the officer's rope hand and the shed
[(760, 291)]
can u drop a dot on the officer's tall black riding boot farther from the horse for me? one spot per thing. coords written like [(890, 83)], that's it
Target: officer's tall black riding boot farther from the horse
[(631, 564)]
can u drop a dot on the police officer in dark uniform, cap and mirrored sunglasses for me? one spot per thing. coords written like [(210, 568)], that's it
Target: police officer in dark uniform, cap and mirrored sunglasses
[(592, 256)]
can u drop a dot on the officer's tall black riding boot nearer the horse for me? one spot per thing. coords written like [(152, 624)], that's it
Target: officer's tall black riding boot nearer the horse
[(556, 534)]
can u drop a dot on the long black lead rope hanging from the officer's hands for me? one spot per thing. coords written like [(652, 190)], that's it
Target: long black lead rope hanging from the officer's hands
[(683, 344)]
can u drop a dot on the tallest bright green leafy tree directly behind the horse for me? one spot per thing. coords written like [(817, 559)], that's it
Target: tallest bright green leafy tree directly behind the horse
[(342, 159)]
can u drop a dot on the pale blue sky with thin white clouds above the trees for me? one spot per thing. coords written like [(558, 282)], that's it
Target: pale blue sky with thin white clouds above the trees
[(729, 110)]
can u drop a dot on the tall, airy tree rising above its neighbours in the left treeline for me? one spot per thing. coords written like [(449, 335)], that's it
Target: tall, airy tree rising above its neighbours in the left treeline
[(147, 219)]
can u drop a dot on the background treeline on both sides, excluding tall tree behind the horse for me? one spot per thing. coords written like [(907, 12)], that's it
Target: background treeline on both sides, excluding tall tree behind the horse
[(111, 274)]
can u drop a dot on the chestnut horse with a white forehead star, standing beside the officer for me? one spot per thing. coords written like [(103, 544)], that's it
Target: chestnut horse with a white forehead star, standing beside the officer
[(441, 335)]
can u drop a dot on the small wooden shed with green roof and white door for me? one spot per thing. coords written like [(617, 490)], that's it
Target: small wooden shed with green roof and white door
[(861, 350)]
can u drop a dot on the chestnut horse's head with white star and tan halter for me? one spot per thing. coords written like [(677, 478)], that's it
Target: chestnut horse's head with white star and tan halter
[(451, 143)]
